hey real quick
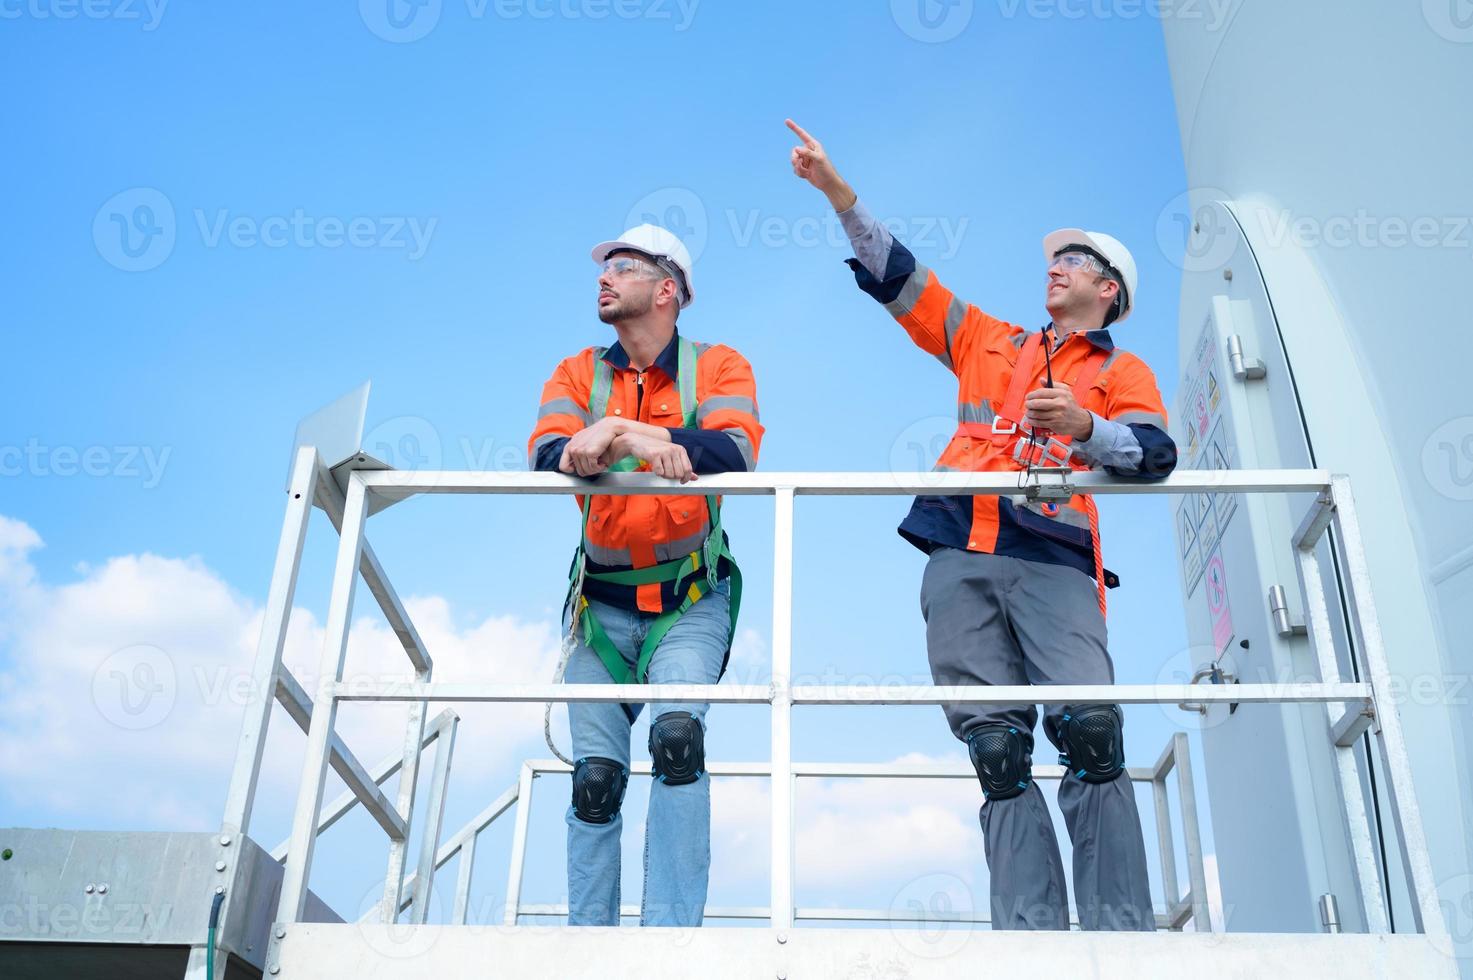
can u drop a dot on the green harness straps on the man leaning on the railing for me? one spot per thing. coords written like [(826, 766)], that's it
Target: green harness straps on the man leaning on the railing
[(709, 556)]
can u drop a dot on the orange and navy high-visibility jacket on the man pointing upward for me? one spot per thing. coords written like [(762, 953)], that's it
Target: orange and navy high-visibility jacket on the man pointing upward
[(985, 353)]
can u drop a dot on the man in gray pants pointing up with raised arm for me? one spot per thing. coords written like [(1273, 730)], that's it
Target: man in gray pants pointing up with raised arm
[(1014, 590)]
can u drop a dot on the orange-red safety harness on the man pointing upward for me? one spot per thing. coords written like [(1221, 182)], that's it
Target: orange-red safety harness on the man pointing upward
[(1041, 447)]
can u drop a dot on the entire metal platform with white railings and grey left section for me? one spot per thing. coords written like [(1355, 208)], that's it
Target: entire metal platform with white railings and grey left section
[(267, 906)]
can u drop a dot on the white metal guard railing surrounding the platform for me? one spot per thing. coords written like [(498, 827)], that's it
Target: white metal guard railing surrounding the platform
[(1351, 708)]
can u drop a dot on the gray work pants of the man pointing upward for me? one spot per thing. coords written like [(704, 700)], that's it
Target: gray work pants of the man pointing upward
[(995, 620)]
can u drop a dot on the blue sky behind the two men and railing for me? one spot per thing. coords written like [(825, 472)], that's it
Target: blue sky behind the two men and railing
[(329, 203)]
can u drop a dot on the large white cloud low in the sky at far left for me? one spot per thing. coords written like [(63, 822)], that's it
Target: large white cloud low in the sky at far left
[(123, 692)]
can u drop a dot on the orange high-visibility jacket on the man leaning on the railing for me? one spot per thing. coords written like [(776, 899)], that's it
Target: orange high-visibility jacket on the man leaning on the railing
[(643, 530)]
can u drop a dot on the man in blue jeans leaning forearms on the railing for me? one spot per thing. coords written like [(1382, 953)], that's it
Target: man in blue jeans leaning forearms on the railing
[(655, 590)]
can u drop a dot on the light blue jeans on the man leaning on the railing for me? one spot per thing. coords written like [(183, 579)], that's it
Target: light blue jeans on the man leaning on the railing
[(678, 832)]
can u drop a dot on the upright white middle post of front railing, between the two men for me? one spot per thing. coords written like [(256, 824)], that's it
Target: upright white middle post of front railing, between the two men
[(783, 802)]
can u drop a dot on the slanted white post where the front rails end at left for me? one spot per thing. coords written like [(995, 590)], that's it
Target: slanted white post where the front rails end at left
[(331, 670)]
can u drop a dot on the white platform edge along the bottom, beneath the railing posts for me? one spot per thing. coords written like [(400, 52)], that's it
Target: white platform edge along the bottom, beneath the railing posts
[(390, 953)]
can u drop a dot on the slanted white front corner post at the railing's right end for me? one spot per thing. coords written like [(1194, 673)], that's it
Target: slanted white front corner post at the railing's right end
[(1390, 739)]
